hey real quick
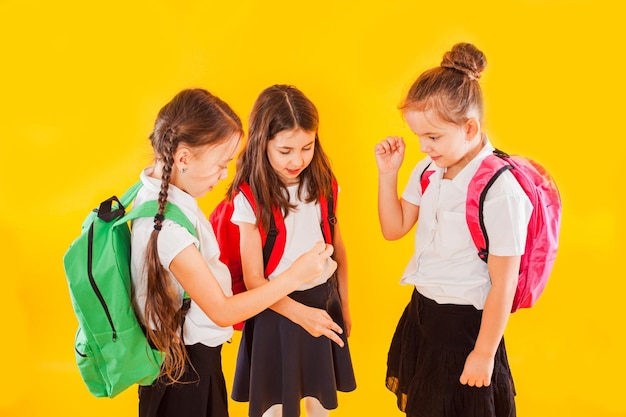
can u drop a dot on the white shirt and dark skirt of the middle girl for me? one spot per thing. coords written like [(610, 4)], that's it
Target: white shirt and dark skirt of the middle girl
[(278, 361)]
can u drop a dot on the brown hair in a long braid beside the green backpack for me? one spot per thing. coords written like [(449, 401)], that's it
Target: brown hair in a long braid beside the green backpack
[(196, 118)]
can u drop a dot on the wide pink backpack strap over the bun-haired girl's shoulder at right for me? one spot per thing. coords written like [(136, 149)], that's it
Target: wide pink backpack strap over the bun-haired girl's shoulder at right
[(488, 172)]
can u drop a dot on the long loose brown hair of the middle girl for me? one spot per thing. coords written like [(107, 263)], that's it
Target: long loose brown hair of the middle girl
[(279, 108)]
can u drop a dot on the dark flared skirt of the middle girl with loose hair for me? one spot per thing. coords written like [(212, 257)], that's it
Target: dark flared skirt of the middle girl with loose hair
[(280, 363)]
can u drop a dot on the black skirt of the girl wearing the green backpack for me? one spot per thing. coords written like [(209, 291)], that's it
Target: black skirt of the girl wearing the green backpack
[(201, 392)]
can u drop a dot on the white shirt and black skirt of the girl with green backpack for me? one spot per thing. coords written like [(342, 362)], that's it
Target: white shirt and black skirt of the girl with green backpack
[(202, 391)]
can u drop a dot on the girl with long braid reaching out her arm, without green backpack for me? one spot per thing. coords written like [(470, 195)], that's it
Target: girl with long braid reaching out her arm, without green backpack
[(195, 136)]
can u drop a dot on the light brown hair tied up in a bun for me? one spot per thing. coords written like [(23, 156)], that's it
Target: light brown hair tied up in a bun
[(451, 90)]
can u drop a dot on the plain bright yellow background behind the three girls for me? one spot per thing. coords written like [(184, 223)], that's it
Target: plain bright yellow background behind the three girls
[(80, 86)]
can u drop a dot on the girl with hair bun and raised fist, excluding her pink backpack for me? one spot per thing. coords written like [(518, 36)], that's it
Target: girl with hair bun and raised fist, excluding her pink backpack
[(447, 356)]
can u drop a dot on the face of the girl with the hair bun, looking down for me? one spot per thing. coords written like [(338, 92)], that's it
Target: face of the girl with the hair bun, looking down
[(449, 145)]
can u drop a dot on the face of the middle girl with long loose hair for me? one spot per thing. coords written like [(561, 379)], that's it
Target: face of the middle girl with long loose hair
[(290, 152)]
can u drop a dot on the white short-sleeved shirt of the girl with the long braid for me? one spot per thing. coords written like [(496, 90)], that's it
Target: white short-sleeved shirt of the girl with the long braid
[(173, 238)]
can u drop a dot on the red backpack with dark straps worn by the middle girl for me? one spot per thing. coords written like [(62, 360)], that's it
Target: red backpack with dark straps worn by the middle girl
[(273, 240)]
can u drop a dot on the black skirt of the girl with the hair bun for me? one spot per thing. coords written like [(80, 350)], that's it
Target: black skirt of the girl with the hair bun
[(426, 359)]
